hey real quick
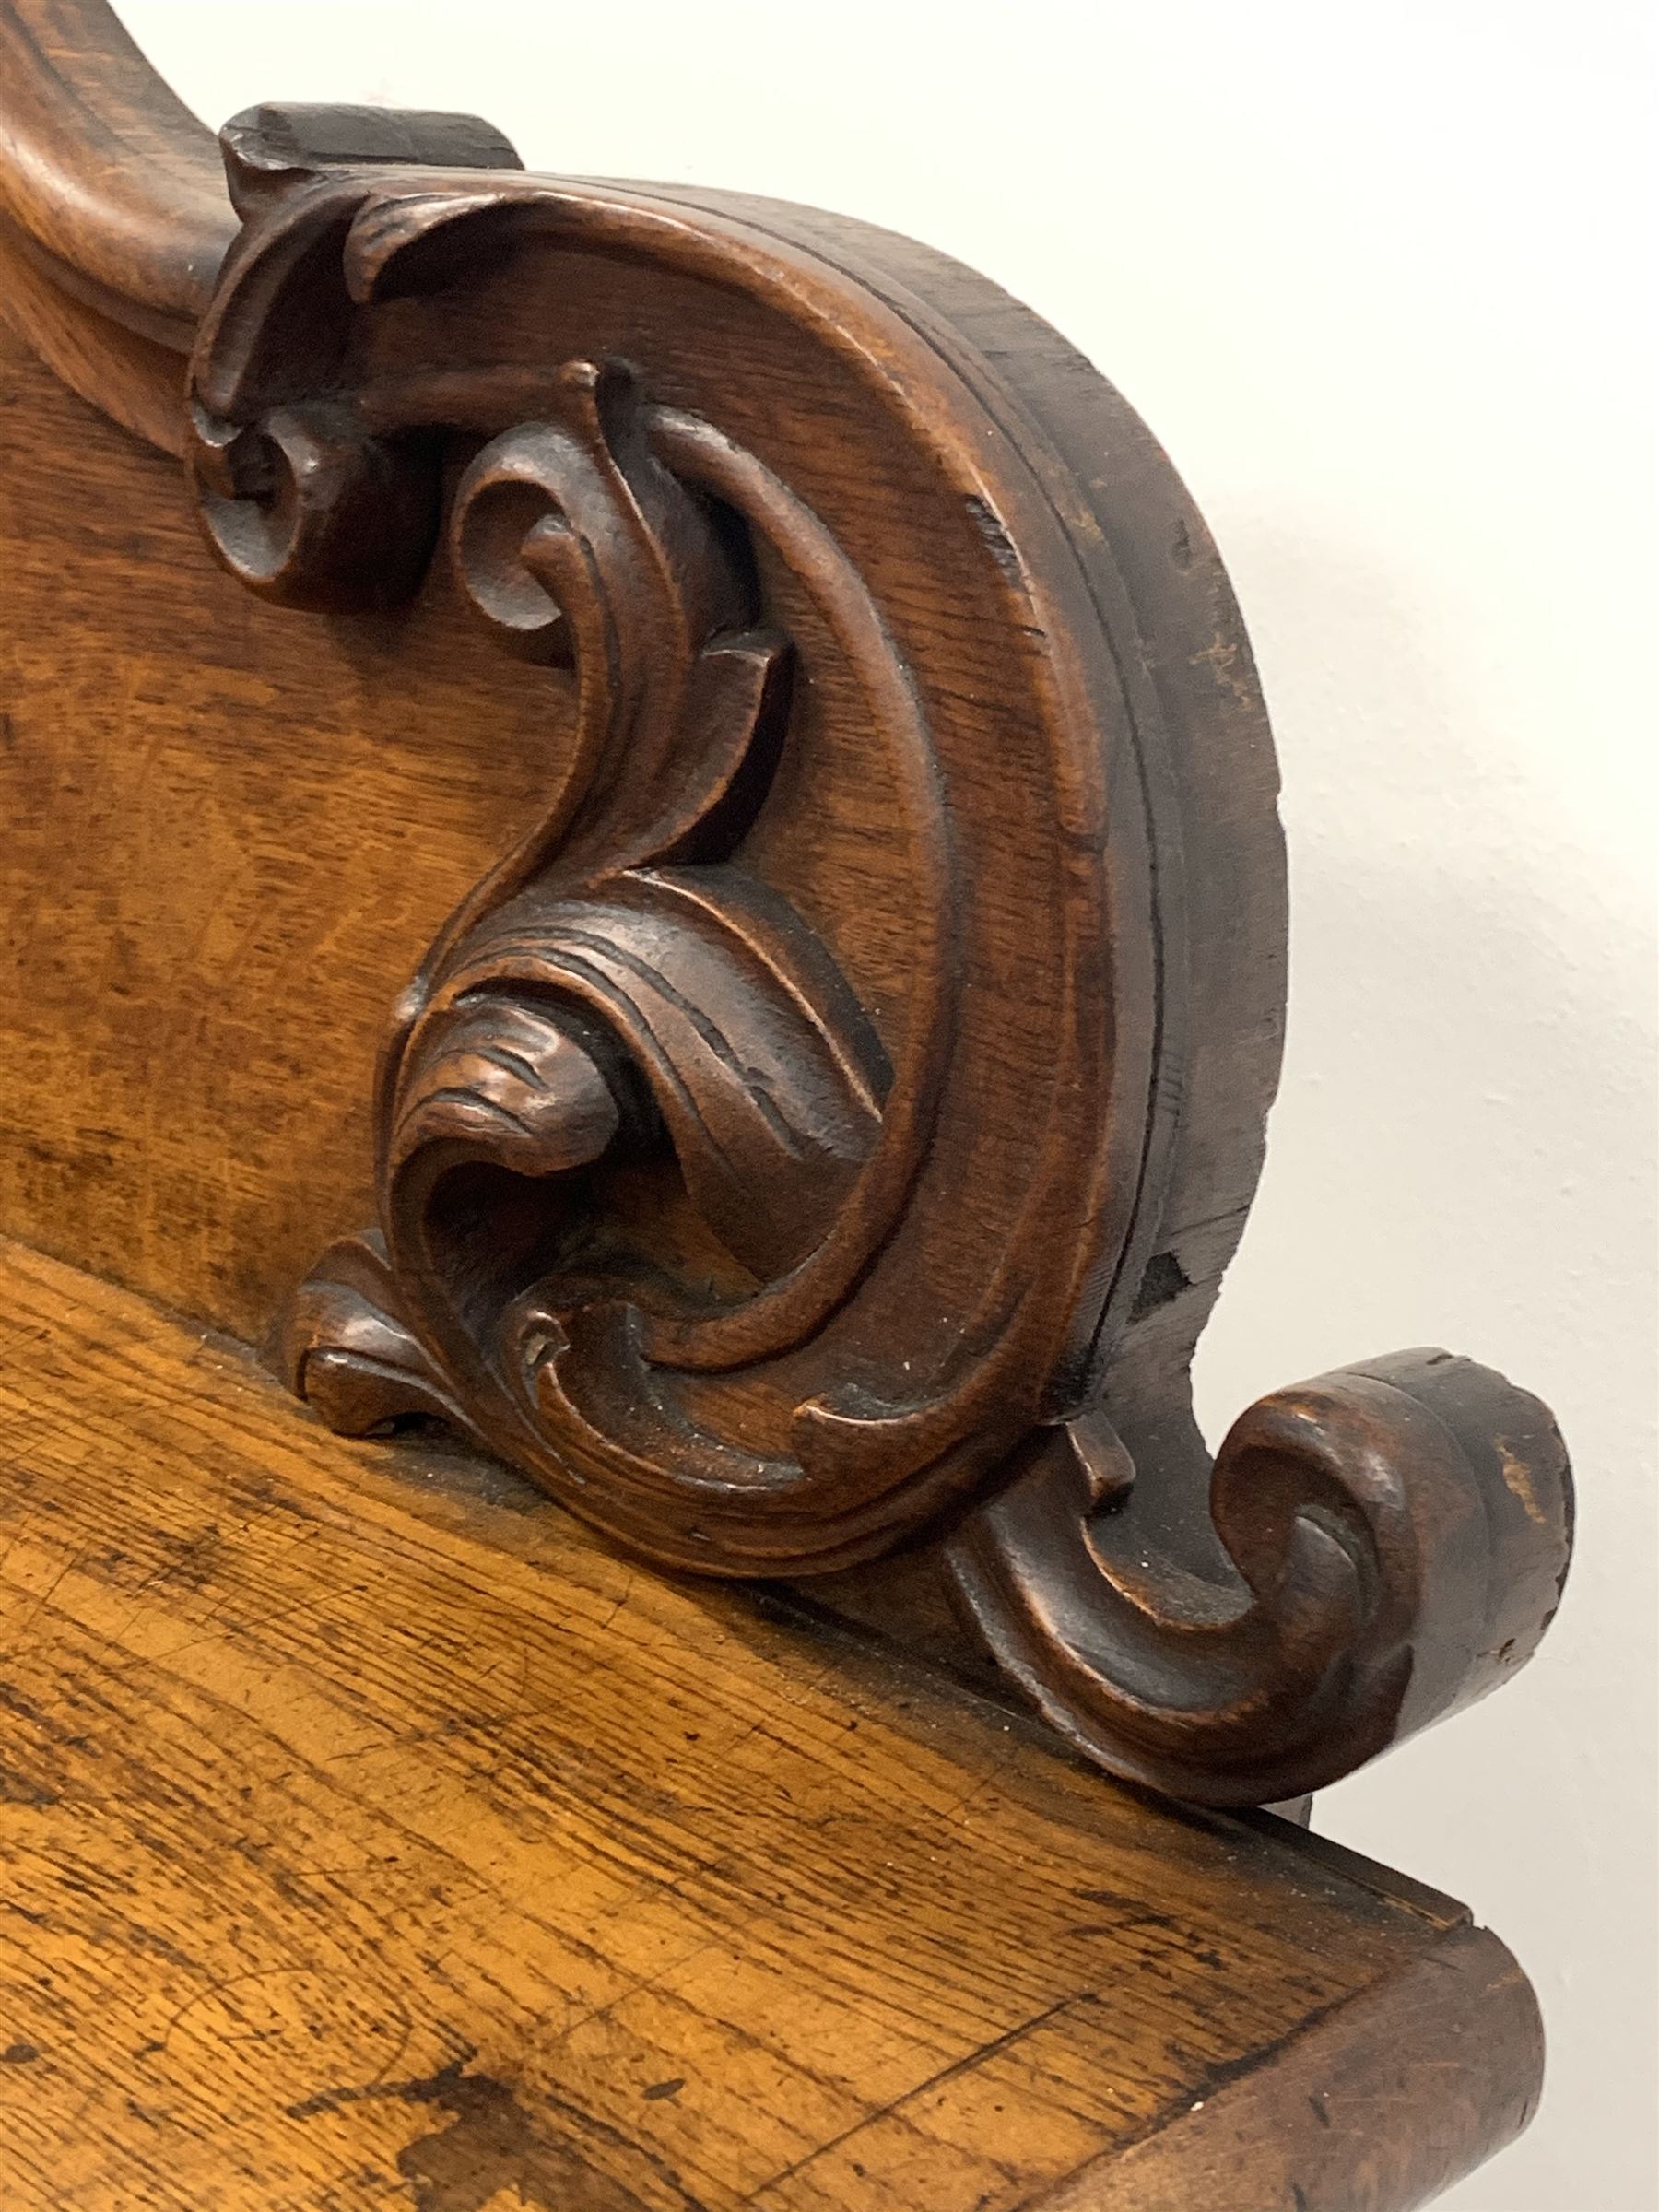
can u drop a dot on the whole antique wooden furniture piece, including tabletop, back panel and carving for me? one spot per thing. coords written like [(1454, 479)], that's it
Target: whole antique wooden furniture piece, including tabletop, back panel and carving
[(811, 1154)]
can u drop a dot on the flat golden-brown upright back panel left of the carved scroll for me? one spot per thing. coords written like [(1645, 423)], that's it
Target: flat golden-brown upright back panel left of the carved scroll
[(222, 826)]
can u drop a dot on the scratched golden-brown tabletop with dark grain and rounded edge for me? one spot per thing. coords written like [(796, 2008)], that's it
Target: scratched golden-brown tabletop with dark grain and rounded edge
[(377, 1837)]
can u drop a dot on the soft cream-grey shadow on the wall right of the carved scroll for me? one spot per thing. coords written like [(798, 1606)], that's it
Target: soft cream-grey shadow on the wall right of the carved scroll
[(1463, 1154)]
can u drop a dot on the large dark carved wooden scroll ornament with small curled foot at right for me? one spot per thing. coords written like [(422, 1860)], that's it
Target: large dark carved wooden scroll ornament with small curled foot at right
[(820, 1140)]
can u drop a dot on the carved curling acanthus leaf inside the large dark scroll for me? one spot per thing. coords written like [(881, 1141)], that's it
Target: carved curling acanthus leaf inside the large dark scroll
[(627, 1072)]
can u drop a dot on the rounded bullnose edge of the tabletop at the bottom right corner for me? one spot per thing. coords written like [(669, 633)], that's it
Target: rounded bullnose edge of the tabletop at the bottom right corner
[(1379, 2105)]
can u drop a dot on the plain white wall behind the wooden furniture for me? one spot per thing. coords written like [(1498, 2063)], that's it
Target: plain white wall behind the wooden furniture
[(1381, 280)]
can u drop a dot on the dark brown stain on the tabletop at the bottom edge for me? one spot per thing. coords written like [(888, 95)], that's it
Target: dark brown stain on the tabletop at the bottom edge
[(492, 2145)]
